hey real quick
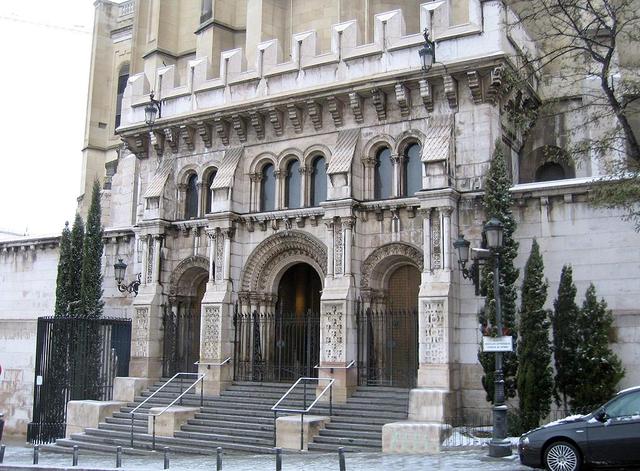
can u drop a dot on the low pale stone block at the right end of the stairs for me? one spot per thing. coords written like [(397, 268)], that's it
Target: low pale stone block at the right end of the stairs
[(413, 437)]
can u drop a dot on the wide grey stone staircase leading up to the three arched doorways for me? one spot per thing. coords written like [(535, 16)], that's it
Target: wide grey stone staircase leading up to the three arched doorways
[(241, 420)]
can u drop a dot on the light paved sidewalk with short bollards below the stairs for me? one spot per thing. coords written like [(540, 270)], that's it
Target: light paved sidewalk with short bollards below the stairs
[(18, 454)]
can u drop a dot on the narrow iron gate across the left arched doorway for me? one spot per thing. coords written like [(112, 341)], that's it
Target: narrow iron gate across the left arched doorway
[(180, 346)]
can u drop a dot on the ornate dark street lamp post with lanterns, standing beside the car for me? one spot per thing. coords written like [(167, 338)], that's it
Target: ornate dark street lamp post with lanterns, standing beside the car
[(494, 231)]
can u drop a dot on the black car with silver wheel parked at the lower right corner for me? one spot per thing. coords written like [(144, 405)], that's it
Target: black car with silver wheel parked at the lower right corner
[(608, 437)]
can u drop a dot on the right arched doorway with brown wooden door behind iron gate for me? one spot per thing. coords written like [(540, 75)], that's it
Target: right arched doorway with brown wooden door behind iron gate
[(387, 322)]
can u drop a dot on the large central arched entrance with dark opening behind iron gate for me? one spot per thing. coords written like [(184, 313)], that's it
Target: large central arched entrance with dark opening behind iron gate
[(280, 341)]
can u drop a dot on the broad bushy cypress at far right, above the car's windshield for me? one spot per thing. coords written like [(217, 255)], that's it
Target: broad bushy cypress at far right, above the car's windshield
[(599, 369)]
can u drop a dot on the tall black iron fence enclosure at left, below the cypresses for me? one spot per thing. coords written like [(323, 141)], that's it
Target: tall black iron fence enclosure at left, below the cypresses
[(75, 359)]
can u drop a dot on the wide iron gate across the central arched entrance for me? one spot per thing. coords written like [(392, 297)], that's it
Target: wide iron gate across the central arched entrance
[(275, 346)]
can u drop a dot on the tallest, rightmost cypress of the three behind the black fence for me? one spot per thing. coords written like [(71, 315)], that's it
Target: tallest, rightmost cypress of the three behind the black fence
[(91, 279)]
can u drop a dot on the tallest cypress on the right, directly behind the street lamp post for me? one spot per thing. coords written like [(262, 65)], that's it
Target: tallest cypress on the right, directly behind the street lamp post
[(497, 203)]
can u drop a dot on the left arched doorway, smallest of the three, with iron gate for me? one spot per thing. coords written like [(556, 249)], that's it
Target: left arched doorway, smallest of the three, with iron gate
[(181, 322)]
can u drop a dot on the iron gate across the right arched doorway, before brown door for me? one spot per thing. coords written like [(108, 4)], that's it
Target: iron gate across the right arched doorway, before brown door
[(387, 347)]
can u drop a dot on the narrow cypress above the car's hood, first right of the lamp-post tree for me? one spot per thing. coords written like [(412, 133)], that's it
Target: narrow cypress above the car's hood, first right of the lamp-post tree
[(535, 383)]
